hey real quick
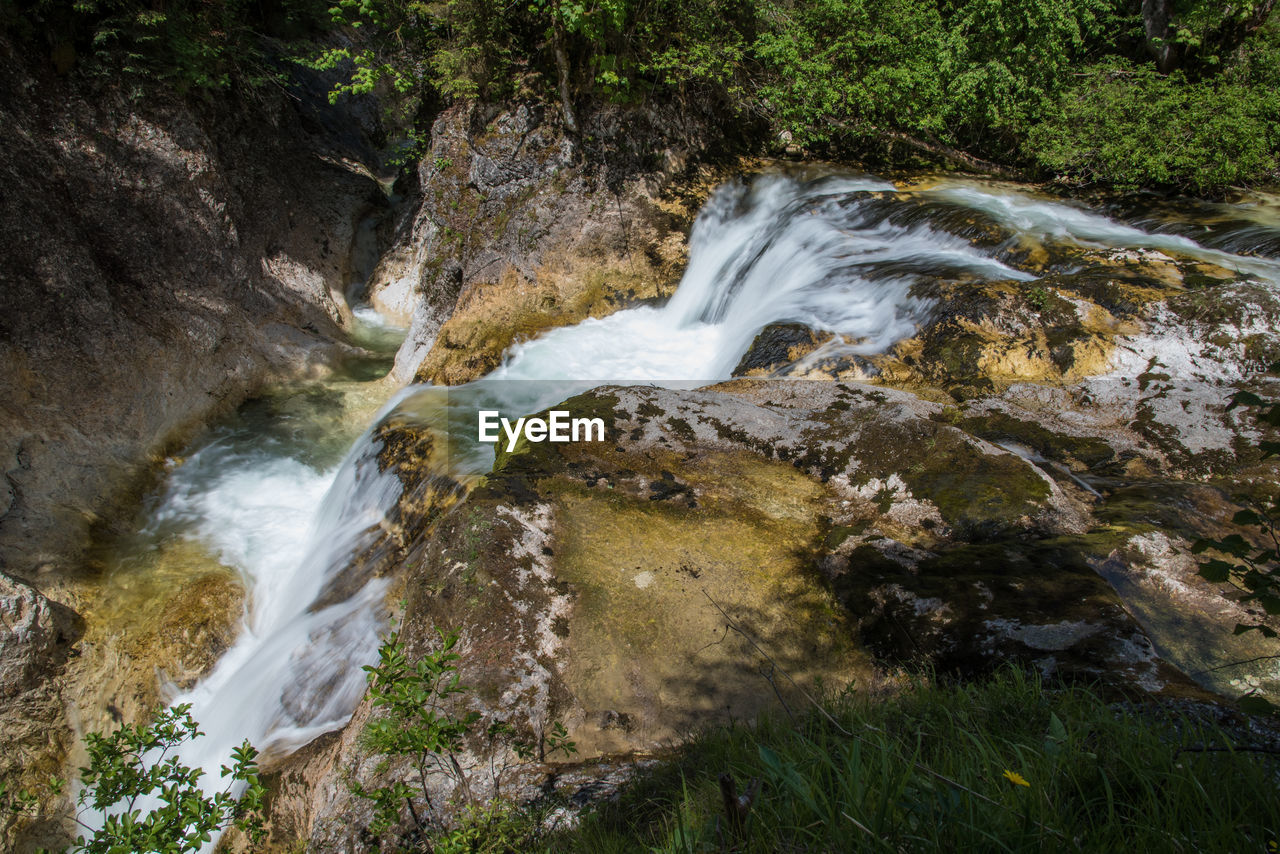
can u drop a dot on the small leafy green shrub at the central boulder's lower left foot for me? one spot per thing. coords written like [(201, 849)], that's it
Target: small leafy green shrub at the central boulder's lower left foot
[(420, 723)]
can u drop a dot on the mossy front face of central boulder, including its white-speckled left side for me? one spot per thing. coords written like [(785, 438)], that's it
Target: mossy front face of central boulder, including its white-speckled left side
[(591, 592)]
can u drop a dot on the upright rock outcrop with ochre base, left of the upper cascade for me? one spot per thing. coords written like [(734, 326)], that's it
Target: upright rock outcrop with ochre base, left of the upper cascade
[(516, 231)]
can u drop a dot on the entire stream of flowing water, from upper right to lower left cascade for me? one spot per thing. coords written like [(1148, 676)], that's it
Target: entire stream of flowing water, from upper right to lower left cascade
[(278, 503)]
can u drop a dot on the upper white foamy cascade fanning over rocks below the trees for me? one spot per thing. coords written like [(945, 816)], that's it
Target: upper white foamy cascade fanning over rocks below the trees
[(772, 252)]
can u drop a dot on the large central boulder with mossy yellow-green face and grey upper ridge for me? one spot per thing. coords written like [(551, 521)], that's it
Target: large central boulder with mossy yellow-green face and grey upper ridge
[(588, 578)]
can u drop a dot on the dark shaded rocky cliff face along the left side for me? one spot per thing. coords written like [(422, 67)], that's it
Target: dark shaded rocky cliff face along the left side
[(162, 259)]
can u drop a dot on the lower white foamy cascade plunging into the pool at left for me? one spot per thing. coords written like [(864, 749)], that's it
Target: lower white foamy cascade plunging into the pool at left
[(294, 673)]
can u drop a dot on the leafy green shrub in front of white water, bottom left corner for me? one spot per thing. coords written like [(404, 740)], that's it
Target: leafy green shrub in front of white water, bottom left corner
[(134, 764)]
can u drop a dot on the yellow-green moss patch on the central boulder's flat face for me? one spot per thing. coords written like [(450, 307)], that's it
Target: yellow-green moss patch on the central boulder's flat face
[(647, 642)]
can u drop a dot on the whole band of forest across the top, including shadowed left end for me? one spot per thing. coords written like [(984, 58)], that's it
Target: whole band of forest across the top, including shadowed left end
[(1171, 94)]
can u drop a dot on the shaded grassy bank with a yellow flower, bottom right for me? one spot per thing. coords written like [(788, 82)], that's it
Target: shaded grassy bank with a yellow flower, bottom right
[(1002, 765)]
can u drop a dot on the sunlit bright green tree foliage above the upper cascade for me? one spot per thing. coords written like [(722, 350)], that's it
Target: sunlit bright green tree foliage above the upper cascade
[(1063, 86)]
